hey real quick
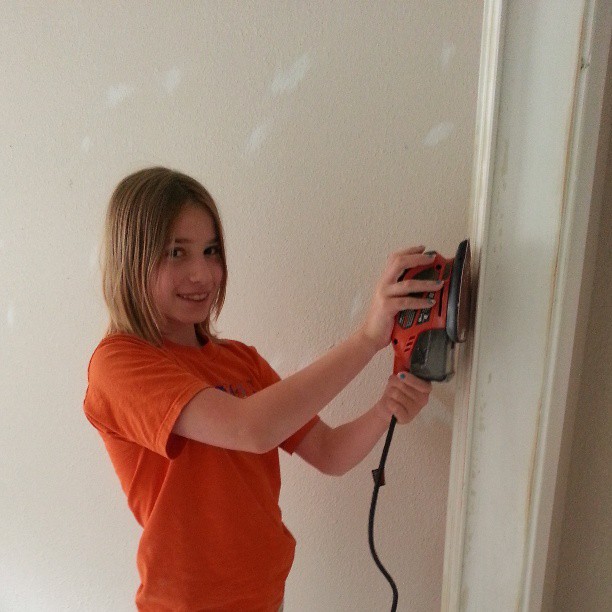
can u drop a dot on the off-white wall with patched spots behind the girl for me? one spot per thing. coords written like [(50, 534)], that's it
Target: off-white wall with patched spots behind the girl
[(330, 133)]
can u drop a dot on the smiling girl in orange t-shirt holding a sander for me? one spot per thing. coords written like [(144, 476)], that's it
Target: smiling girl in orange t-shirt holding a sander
[(193, 423)]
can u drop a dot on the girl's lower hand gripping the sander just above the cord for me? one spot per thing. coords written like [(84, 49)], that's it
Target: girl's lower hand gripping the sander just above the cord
[(404, 396)]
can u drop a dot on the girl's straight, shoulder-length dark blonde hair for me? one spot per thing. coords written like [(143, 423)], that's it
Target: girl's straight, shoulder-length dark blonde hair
[(139, 219)]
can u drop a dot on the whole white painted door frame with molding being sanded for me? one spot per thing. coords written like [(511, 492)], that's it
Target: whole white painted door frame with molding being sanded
[(536, 137)]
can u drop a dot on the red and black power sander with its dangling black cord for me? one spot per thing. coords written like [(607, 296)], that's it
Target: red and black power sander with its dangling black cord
[(424, 344)]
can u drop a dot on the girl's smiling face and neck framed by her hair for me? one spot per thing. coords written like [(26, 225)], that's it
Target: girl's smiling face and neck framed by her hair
[(187, 278)]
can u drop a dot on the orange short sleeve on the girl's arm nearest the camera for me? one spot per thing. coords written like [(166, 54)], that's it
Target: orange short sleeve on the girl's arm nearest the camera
[(136, 392)]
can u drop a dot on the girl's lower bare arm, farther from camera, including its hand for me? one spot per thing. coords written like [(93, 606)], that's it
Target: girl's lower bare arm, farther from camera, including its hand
[(336, 450)]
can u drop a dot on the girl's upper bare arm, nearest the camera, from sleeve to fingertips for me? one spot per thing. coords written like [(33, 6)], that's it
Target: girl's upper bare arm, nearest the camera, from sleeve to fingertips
[(267, 418)]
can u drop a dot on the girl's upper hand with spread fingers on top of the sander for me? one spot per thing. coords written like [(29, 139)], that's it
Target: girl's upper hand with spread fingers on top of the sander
[(391, 296)]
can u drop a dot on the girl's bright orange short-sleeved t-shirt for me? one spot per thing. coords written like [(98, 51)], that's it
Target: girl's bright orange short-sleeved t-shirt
[(213, 536)]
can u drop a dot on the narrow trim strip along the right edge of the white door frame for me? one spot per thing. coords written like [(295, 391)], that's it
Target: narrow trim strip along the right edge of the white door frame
[(578, 189)]
